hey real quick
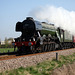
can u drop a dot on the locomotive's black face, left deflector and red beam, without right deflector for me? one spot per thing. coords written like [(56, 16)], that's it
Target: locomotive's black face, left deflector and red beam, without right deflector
[(28, 30)]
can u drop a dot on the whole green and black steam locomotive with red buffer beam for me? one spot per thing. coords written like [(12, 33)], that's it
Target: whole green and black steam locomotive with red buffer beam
[(41, 37)]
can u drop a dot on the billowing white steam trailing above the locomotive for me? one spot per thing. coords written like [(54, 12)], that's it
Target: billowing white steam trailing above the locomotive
[(59, 16)]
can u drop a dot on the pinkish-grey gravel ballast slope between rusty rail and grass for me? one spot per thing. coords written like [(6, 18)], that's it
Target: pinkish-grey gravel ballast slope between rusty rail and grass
[(29, 60)]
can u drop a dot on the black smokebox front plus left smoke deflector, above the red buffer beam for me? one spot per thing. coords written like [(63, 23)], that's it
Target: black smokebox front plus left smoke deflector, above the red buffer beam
[(27, 27)]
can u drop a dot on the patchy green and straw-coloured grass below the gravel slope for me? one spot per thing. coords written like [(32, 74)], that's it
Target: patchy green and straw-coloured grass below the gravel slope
[(44, 68)]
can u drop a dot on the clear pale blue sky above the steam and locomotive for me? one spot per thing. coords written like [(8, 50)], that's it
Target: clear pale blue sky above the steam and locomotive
[(12, 11)]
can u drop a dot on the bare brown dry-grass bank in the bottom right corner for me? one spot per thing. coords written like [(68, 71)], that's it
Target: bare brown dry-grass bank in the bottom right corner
[(68, 69)]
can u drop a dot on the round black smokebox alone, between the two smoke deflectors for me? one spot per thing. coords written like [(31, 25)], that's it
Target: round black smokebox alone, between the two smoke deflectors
[(28, 28)]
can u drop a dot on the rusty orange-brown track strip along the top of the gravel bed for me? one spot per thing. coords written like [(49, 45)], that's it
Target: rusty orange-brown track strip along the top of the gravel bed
[(7, 57)]
